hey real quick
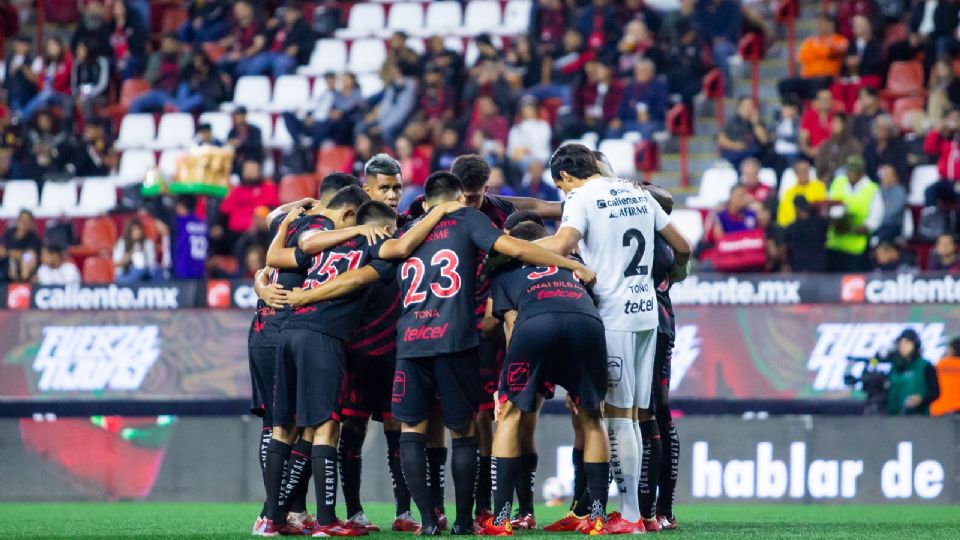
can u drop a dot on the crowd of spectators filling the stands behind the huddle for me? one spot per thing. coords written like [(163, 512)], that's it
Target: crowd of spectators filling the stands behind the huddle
[(610, 68)]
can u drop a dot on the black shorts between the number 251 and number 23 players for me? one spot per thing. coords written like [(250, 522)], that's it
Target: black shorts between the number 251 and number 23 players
[(369, 386)]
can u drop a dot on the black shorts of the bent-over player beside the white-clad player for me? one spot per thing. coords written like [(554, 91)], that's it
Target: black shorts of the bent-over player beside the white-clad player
[(566, 349)]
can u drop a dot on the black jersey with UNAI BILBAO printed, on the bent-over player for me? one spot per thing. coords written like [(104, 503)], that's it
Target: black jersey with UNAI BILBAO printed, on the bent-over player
[(538, 290)]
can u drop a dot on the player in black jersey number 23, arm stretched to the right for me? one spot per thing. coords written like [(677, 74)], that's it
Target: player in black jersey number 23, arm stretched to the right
[(437, 342)]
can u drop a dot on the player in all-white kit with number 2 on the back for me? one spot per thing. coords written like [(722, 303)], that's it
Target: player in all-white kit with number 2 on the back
[(613, 224)]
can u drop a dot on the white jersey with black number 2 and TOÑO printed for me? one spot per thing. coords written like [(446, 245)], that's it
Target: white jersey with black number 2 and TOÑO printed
[(617, 222)]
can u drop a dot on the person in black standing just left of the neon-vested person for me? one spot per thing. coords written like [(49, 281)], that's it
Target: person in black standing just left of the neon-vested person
[(805, 238)]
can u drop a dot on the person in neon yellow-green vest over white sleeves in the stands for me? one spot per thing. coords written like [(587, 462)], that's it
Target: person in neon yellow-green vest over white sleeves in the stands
[(862, 213)]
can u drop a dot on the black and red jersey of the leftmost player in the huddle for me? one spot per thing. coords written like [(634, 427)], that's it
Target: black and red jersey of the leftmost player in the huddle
[(267, 321)]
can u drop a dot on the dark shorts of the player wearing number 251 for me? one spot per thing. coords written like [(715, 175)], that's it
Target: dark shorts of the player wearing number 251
[(310, 377)]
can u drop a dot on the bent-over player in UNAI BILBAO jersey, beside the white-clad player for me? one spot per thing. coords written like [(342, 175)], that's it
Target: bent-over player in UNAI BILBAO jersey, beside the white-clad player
[(555, 336)]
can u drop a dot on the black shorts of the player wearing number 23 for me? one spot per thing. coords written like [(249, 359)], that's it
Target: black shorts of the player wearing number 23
[(453, 377)]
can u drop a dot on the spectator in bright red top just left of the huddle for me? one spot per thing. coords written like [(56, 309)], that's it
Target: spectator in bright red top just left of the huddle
[(237, 208)]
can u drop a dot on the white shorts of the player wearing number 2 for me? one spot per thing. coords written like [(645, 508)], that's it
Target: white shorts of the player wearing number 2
[(630, 357)]
